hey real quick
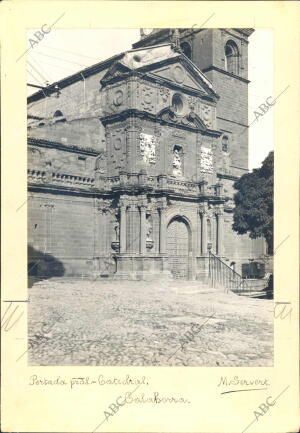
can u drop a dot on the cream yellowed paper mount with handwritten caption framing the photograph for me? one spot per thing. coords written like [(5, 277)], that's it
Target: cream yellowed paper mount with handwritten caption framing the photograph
[(49, 399)]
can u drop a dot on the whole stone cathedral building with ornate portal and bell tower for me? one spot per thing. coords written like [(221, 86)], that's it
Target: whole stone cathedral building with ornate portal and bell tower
[(131, 162)]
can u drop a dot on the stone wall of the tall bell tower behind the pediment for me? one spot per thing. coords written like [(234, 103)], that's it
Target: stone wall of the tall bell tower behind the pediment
[(232, 107)]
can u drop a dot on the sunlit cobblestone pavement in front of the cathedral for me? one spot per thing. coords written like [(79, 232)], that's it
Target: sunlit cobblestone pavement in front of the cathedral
[(142, 323)]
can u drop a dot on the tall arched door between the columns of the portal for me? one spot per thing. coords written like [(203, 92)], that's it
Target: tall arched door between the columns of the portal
[(178, 245)]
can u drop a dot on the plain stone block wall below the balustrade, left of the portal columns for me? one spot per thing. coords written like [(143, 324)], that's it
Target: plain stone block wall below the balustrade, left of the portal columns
[(61, 233)]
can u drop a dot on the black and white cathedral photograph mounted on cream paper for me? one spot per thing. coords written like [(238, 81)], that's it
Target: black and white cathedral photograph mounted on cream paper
[(150, 197)]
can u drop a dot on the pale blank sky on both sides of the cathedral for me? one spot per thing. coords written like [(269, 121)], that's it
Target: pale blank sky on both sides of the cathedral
[(63, 52)]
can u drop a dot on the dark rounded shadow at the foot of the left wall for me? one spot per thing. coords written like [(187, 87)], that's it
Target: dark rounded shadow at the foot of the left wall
[(42, 266)]
